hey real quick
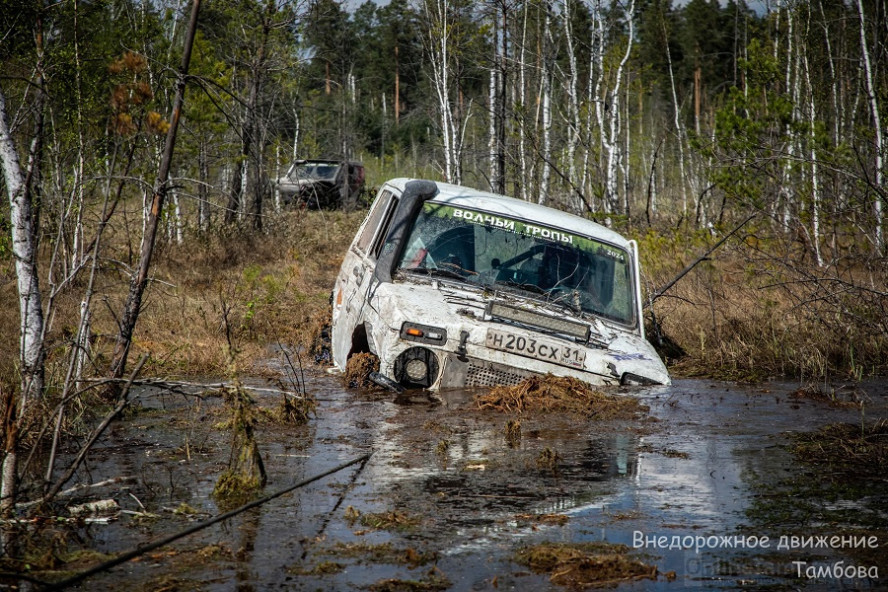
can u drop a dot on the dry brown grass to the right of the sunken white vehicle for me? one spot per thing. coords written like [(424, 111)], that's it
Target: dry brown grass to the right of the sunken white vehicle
[(758, 310)]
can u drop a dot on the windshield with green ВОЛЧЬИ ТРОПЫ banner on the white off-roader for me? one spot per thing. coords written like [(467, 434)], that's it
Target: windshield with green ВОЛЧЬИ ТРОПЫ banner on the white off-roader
[(576, 272)]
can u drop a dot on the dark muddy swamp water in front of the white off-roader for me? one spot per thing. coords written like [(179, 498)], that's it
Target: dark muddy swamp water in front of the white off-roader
[(708, 463)]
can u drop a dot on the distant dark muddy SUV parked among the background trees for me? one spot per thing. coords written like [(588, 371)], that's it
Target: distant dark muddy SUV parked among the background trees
[(320, 184)]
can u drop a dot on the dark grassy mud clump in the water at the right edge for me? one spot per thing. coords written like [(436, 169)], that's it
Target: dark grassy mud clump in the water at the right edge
[(847, 451)]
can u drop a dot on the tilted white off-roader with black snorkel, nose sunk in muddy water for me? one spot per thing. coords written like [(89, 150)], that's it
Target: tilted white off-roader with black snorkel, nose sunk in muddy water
[(454, 287)]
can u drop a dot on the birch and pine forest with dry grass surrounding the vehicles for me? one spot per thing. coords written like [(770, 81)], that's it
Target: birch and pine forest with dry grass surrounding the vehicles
[(676, 125)]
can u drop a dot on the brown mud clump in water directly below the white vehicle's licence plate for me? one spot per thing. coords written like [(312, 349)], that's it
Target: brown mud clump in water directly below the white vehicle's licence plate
[(543, 394)]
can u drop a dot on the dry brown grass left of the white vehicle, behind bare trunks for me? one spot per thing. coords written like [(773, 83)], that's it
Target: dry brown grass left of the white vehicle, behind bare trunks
[(232, 291)]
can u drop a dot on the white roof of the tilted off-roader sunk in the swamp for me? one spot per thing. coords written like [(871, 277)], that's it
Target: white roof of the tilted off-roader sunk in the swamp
[(470, 198)]
